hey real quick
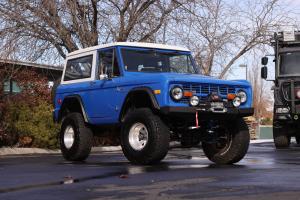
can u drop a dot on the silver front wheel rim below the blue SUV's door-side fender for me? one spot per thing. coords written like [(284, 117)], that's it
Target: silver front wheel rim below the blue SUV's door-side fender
[(138, 136)]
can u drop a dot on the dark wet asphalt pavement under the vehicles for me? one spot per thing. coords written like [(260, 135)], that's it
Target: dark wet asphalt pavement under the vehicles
[(265, 173)]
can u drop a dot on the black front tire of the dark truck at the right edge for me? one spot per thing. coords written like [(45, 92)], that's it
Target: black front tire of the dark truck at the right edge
[(281, 137)]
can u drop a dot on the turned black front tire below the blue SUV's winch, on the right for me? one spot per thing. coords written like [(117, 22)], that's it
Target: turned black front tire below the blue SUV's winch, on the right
[(232, 143)]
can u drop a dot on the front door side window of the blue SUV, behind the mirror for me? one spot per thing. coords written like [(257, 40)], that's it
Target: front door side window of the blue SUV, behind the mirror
[(108, 63)]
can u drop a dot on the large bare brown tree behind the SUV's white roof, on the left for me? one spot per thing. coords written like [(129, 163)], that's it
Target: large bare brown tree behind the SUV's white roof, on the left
[(68, 25)]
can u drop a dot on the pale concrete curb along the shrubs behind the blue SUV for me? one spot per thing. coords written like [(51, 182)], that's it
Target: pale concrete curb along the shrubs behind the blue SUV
[(7, 151)]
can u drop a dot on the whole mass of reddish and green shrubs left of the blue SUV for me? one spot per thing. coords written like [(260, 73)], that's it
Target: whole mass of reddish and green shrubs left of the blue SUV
[(26, 117)]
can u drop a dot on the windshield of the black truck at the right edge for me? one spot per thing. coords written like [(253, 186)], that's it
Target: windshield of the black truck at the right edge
[(290, 63)]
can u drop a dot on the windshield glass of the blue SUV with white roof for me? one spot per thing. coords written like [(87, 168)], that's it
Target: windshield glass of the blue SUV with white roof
[(157, 61)]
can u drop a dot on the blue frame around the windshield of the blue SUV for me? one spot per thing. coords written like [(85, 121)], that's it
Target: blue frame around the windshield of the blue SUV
[(188, 53)]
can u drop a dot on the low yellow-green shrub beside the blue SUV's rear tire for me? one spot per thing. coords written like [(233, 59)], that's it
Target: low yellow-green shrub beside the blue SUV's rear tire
[(33, 122)]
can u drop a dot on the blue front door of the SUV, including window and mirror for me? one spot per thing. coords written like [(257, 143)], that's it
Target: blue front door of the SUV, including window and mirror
[(105, 95)]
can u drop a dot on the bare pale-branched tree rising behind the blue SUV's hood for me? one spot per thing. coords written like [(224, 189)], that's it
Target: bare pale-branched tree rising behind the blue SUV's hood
[(221, 32)]
